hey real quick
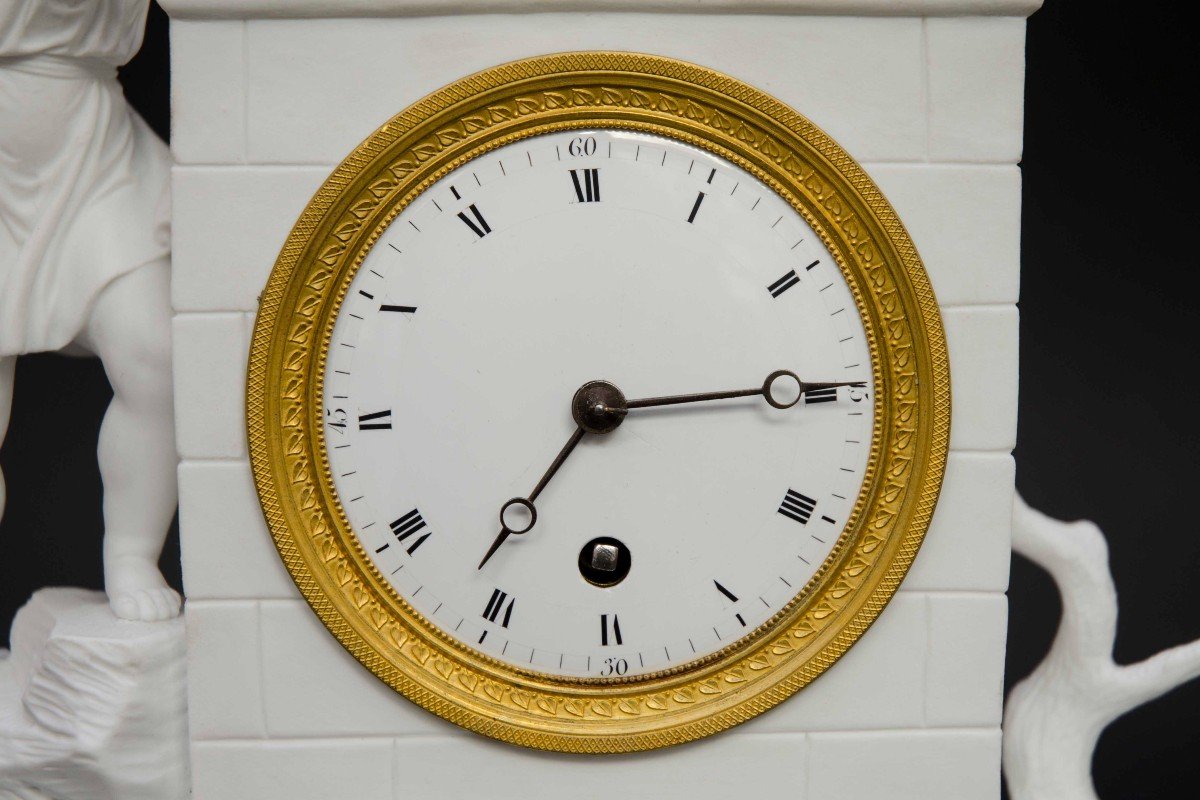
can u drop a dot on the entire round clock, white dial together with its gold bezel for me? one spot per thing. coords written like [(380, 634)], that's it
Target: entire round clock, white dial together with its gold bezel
[(595, 400)]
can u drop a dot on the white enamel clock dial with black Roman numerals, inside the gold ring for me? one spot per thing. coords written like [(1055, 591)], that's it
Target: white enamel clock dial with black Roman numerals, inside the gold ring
[(575, 257)]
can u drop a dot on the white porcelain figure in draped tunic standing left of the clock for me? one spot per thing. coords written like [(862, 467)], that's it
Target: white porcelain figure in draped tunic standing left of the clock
[(85, 260)]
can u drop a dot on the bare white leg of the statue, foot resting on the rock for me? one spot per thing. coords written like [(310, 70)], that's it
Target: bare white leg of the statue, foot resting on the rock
[(130, 330)]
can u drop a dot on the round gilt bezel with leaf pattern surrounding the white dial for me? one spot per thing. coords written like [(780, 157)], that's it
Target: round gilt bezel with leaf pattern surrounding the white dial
[(460, 123)]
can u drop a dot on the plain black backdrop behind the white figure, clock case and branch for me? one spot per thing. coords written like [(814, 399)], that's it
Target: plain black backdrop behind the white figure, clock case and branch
[(1108, 352)]
